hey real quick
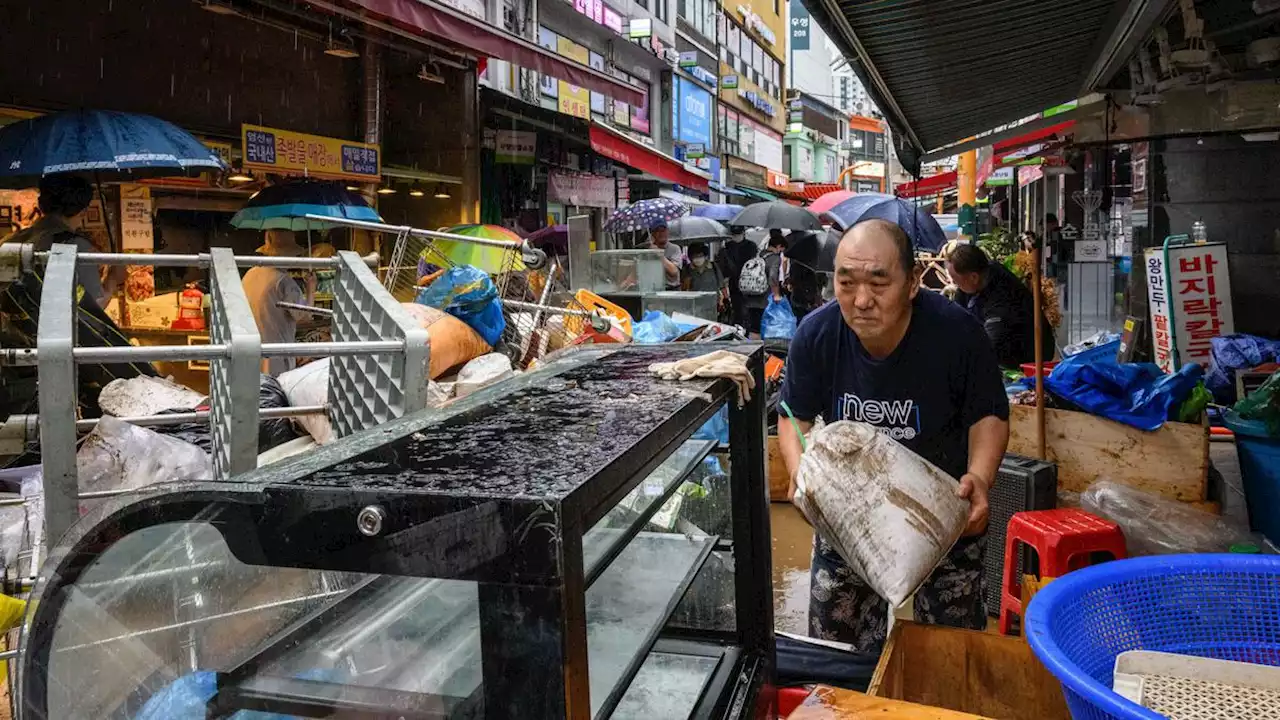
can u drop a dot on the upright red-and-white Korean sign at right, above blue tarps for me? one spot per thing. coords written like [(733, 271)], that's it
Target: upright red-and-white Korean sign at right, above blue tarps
[(1196, 291)]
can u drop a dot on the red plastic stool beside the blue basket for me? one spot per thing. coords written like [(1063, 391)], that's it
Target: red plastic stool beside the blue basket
[(1063, 540)]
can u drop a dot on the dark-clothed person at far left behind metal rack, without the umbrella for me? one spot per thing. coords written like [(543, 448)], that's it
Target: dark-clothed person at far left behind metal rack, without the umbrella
[(63, 199)]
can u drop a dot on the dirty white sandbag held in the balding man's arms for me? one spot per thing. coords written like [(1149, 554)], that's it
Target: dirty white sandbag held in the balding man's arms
[(888, 512)]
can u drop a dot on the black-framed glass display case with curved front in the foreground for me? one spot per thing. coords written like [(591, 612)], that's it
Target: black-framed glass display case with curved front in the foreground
[(555, 546)]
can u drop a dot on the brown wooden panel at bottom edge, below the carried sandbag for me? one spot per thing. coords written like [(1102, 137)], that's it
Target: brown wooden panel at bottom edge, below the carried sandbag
[(988, 675)]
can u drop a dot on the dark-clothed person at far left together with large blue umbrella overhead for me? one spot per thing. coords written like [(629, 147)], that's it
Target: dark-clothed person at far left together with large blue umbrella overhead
[(76, 148)]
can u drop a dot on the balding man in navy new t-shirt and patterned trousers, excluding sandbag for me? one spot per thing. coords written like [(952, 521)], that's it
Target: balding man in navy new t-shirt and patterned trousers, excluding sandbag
[(921, 370)]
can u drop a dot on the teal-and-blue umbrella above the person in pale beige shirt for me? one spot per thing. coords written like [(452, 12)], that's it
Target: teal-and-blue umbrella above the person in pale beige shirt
[(286, 207)]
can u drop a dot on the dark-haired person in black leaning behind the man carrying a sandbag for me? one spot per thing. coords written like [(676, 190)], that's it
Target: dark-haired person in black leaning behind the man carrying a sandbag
[(1002, 303)]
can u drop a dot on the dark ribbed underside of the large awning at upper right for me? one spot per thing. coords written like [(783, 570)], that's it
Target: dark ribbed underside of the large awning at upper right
[(947, 71)]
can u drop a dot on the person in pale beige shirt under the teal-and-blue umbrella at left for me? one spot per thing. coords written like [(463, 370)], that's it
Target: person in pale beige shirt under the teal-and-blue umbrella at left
[(268, 286)]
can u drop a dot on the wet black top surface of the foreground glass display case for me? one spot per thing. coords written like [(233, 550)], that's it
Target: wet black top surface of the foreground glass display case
[(538, 441)]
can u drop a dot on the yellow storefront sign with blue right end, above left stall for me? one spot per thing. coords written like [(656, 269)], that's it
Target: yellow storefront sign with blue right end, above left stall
[(310, 156)]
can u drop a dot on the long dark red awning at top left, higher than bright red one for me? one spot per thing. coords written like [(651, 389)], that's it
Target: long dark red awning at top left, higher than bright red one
[(476, 38)]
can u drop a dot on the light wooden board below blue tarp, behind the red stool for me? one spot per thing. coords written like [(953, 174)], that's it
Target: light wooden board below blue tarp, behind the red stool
[(1172, 463)]
